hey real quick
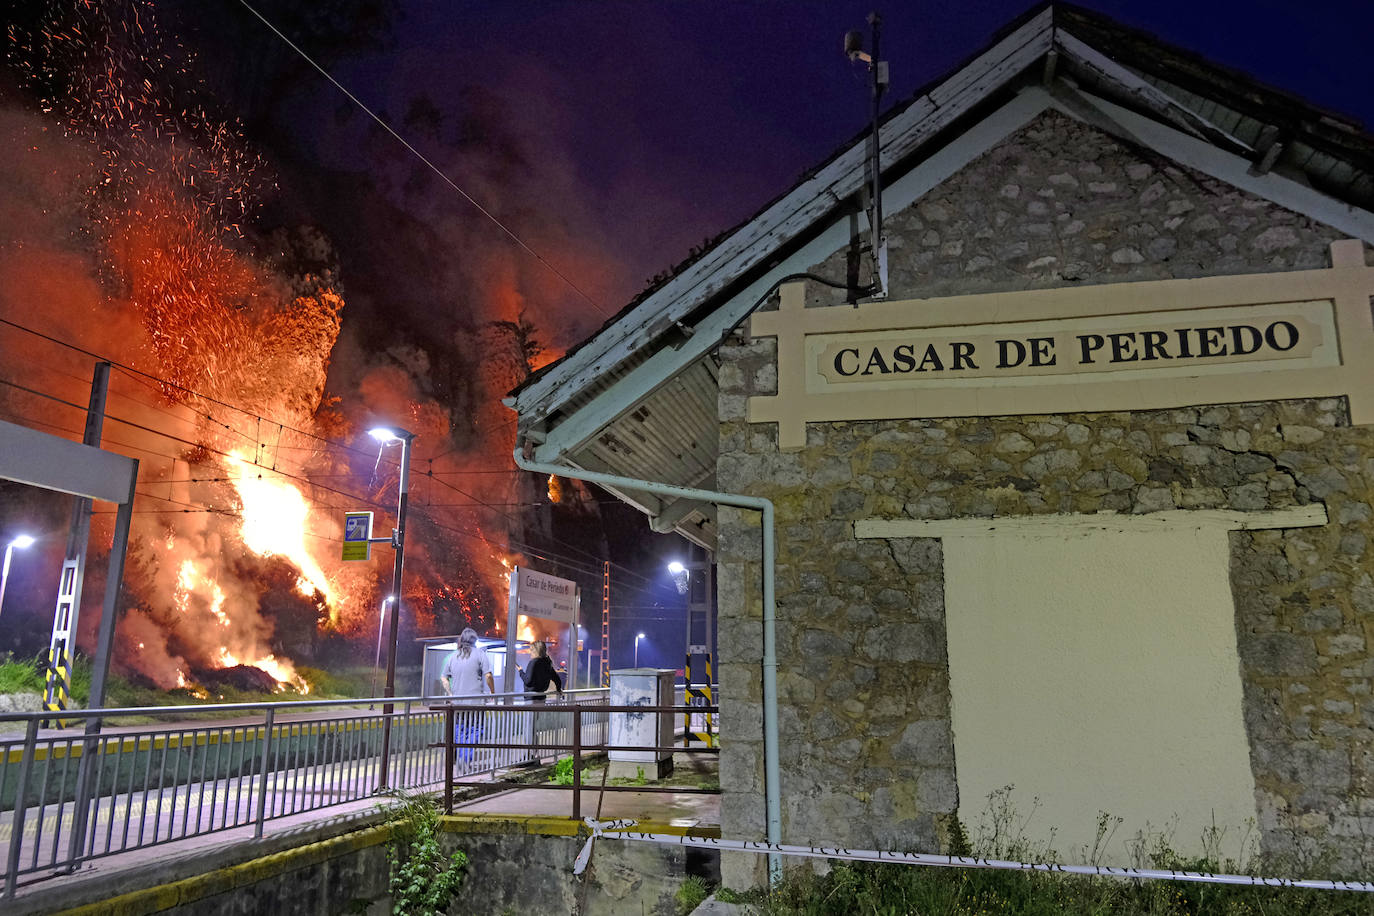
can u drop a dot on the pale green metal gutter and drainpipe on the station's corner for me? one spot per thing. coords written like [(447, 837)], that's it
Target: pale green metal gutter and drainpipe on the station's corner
[(773, 797)]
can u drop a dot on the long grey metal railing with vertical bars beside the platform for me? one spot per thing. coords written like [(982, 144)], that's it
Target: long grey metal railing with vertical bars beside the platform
[(68, 797)]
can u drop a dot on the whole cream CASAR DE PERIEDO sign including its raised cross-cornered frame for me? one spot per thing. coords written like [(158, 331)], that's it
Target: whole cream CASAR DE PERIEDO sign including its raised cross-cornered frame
[(1078, 350)]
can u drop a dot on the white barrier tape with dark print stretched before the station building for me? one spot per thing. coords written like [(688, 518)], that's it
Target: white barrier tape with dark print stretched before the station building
[(620, 830)]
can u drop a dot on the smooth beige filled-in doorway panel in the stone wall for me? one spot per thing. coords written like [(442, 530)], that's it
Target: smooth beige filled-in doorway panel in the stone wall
[(1100, 672)]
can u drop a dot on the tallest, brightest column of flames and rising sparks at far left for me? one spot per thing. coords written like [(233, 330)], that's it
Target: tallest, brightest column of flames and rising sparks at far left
[(210, 314)]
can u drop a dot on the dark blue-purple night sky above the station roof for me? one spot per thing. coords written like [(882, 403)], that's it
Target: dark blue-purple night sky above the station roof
[(645, 128)]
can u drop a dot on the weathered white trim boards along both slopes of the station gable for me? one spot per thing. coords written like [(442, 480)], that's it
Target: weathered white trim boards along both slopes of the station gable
[(799, 212)]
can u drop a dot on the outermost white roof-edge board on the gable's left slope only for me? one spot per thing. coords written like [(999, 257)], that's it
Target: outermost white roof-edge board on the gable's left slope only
[(785, 220)]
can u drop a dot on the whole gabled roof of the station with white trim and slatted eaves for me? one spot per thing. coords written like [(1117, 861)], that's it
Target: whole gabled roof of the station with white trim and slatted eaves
[(638, 398)]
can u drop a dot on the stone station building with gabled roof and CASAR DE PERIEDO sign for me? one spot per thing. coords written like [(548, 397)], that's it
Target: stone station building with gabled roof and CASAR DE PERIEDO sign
[(1082, 507)]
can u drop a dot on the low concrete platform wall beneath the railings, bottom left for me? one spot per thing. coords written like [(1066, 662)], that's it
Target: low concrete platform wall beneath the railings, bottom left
[(516, 866)]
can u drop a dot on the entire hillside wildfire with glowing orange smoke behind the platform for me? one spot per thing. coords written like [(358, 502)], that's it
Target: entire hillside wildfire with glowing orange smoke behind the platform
[(126, 234)]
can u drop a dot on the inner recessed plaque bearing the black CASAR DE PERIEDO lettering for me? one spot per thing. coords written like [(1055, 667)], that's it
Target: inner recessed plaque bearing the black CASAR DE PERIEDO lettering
[(941, 354)]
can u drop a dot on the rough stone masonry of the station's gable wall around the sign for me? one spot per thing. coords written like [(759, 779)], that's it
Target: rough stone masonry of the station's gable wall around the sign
[(868, 753)]
